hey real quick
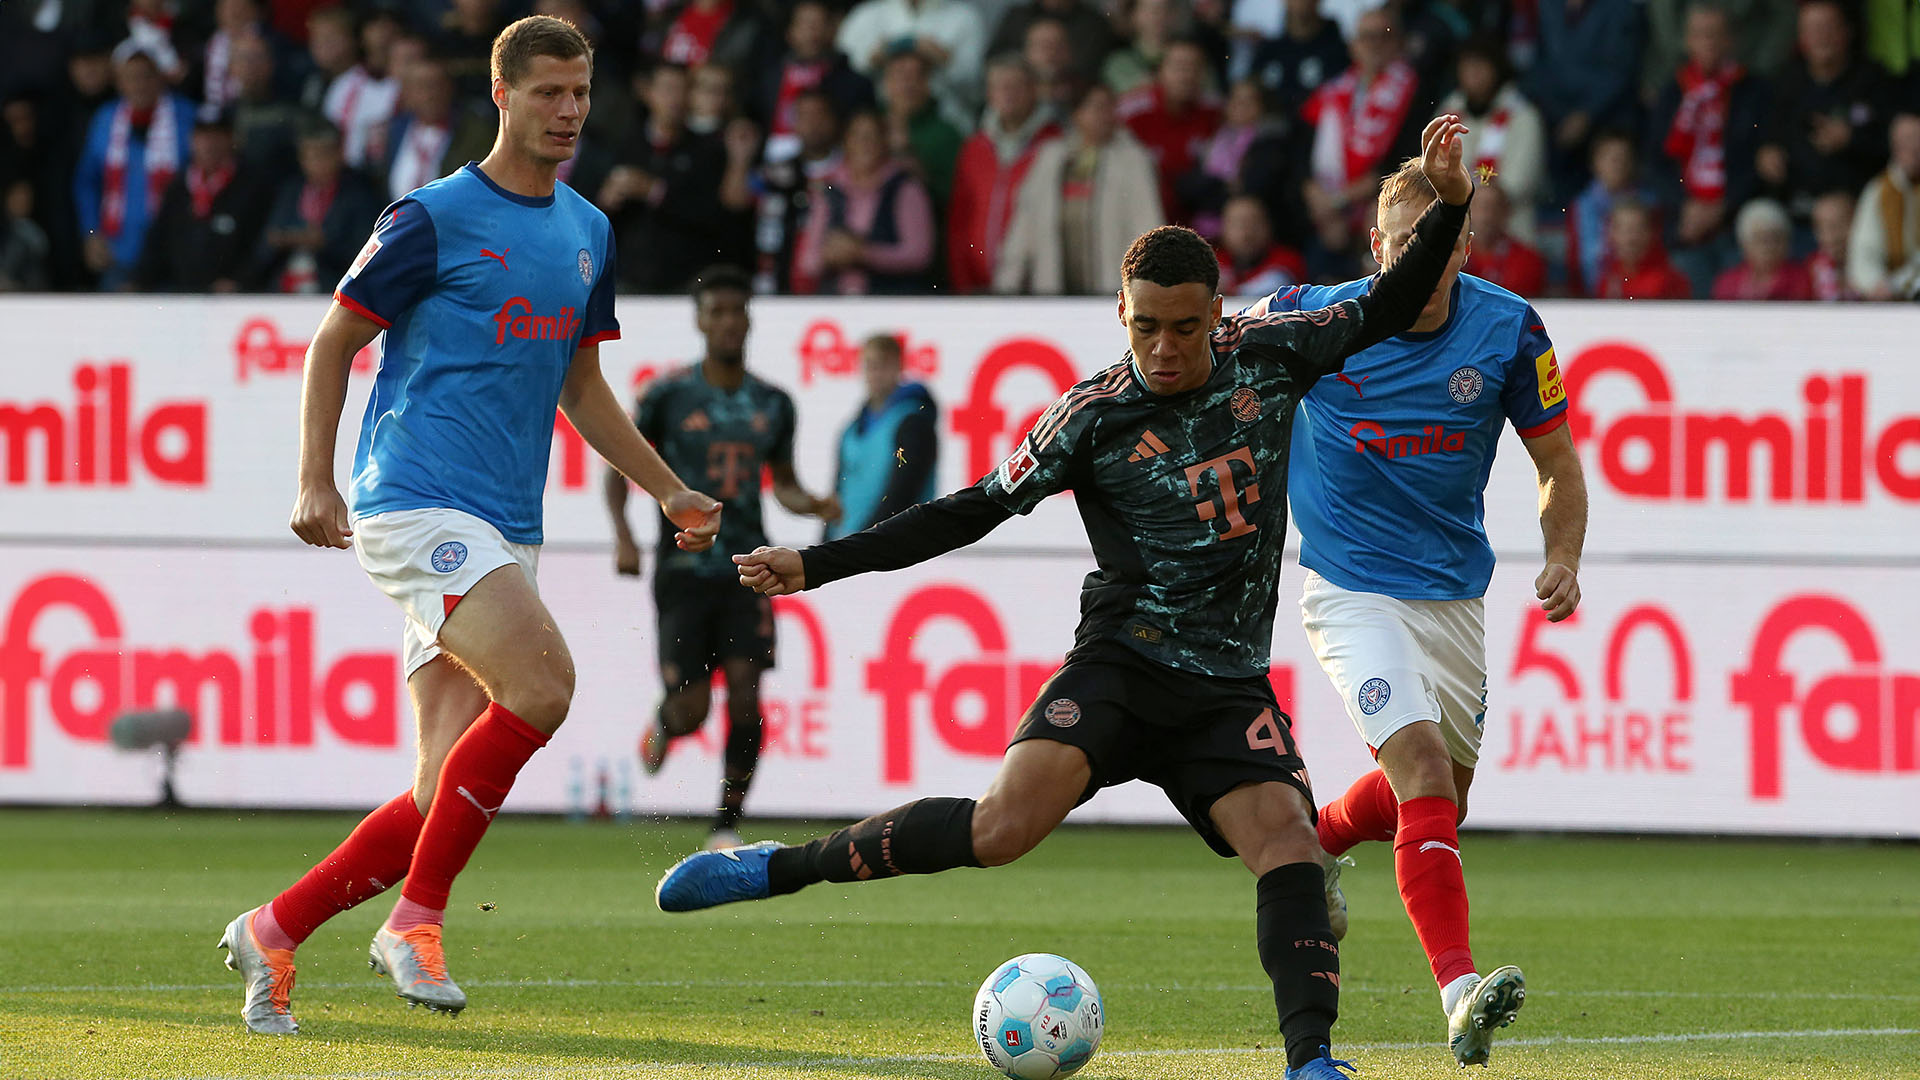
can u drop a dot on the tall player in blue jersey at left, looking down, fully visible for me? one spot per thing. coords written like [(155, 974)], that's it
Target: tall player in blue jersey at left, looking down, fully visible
[(494, 289)]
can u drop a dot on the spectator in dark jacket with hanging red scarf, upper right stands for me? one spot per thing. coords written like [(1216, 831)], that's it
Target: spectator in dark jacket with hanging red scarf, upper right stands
[(1704, 134)]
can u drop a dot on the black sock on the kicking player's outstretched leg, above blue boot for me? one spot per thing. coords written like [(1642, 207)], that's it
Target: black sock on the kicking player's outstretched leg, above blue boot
[(924, 837)]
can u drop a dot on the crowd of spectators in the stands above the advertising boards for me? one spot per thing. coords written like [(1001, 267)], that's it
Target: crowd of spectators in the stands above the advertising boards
[(1627, 149)]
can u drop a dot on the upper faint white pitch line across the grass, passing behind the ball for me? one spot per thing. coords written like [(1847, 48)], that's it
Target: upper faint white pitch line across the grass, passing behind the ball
[(938, 985)]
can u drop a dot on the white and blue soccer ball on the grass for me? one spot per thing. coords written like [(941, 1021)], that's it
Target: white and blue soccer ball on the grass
[(1038, 1018)]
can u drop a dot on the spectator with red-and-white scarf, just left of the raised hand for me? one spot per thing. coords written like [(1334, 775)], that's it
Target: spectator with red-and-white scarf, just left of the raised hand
[(1362, 120)]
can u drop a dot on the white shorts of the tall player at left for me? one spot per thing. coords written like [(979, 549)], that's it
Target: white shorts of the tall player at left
[(427, 560)]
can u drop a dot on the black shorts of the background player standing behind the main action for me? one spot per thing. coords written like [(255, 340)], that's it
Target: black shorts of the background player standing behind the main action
[(708, 622)]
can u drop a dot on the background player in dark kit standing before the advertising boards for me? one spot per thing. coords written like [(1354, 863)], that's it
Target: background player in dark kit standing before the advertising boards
[(719, 422)]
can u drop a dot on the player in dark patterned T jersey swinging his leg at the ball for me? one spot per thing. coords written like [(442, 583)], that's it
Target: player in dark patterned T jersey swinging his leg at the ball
[(1178, 460)]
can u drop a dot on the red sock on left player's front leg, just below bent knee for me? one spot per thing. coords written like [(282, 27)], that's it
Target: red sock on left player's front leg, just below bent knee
[(473, 787)]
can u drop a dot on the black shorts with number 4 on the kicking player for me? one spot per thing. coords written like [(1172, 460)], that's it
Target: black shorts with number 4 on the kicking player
[(1195, 737)]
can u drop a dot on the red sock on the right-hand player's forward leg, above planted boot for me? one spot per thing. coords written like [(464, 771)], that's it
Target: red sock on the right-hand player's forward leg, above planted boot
[(1433, 883)]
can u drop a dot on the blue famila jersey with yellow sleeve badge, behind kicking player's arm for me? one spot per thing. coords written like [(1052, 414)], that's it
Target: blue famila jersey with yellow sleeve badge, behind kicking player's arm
[(1391, 456)]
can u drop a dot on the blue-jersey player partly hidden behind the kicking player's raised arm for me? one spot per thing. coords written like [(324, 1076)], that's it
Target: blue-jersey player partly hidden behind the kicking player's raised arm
[(1389, 476)]
